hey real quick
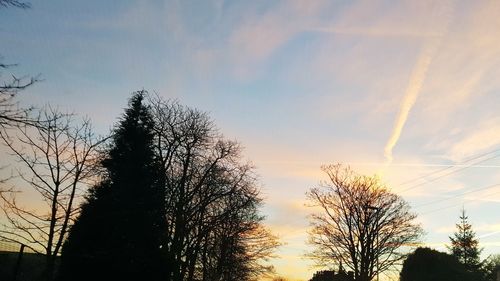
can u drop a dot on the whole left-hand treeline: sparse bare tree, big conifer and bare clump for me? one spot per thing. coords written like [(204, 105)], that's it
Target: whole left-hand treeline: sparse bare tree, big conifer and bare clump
[(169, 199)]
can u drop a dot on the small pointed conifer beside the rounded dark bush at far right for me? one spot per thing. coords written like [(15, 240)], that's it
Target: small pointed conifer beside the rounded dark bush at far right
[(464, 244)]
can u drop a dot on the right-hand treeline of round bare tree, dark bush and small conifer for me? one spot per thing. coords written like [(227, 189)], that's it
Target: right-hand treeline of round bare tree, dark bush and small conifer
[(361, 230)]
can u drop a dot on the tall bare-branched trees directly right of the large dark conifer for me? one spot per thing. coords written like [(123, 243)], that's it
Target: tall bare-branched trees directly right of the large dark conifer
[(214, 231)]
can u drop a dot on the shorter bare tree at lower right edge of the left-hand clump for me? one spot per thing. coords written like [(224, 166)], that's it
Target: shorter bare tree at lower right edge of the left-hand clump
[(235, 249)]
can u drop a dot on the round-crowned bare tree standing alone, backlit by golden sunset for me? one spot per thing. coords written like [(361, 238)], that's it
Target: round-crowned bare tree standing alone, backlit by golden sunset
[(362, 225)]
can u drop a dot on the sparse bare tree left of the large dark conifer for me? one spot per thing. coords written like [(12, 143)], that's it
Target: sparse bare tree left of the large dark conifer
[(55, 160)]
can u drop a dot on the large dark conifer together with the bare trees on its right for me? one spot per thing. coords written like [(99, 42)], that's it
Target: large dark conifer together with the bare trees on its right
[(175, 203)]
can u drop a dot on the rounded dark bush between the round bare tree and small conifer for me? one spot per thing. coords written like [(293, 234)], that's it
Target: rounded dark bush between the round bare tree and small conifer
[(427, 265)]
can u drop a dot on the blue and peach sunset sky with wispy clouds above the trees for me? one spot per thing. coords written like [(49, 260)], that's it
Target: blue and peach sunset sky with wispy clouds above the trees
[(408, 90)]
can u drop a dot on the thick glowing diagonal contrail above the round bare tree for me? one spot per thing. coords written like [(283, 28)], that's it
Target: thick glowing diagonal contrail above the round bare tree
[(417, 78)]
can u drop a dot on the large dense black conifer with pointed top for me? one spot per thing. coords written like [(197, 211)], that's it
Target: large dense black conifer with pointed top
[(119, 232)]
